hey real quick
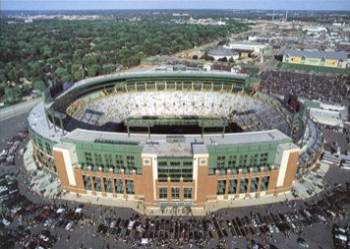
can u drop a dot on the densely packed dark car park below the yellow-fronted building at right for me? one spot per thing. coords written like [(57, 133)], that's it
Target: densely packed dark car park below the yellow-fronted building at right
[(329, 89)]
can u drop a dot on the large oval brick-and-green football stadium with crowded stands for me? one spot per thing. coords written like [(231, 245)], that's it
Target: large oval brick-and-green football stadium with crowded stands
[(167, 139)]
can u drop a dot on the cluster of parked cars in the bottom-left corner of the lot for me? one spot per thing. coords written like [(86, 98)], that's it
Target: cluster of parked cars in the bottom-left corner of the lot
[(16, 229)]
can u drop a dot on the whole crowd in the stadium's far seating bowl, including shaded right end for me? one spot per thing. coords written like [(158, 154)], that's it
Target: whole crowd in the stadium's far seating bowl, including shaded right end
[(251, 113)]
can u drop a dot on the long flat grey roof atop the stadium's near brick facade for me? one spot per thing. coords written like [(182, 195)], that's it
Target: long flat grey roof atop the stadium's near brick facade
[(184, 145)]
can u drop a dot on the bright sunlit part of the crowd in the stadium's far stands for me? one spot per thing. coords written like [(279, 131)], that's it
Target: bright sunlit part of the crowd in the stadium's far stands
[(118, 107)]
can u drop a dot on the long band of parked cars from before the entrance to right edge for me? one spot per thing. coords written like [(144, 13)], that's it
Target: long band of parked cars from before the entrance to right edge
[(165, 231)]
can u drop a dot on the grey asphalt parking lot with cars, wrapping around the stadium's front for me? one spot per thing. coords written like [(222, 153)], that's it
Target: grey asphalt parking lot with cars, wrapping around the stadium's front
[(30, 221)]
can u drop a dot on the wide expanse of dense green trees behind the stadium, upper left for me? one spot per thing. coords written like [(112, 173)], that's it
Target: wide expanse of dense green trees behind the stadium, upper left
[(45, 50)]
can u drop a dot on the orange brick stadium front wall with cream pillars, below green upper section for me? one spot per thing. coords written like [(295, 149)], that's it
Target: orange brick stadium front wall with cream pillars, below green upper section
[(145, 185)]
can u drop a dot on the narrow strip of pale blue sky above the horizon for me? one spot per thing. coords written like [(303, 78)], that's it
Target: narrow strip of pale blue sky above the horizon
[(174, 4)]
